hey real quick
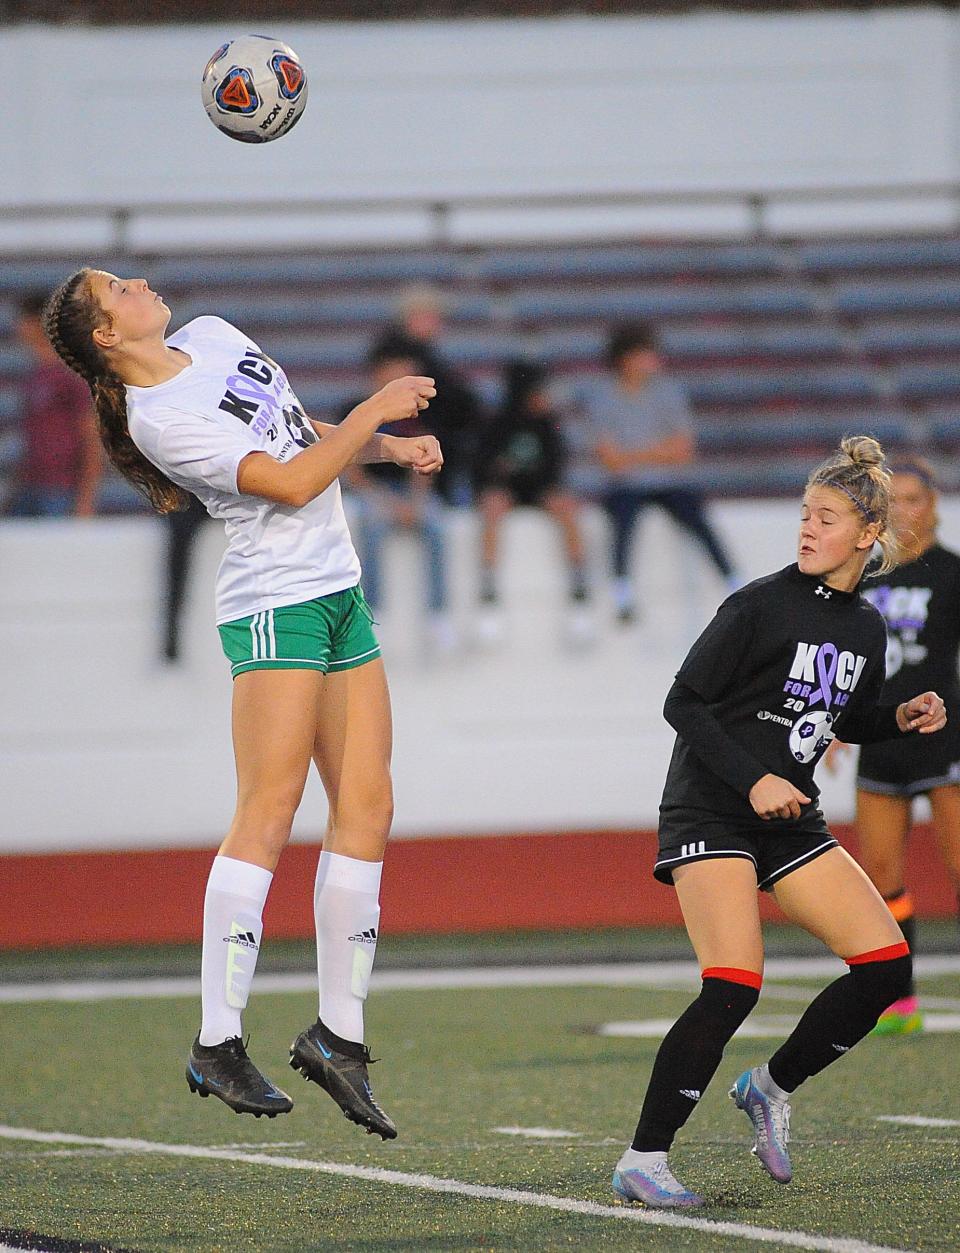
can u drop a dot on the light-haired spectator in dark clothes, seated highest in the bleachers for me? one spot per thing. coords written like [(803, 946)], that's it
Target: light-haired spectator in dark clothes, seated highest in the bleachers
[(454, 415)]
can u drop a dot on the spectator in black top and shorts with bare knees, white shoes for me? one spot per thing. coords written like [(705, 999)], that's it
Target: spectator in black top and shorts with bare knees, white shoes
[(521, 460)]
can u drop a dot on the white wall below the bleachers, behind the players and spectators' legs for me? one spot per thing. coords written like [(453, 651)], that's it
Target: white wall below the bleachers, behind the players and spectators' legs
[(102, 747)]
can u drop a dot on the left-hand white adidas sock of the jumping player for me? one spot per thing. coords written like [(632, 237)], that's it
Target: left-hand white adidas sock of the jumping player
[(232, 930)]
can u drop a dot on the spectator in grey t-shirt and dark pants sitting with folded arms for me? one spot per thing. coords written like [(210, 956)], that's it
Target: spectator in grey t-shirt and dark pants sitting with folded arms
[(637, 434)]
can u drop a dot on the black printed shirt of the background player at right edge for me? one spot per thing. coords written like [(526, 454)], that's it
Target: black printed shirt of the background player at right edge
[(921, 603)]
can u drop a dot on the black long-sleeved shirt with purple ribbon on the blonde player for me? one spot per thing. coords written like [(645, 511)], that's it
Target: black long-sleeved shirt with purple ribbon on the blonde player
[(786, 665)]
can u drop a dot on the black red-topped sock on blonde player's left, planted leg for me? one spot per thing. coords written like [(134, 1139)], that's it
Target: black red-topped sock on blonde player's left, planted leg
[(691, 1053)]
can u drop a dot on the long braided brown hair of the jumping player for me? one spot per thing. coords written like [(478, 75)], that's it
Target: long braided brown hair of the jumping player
[(70, 319)]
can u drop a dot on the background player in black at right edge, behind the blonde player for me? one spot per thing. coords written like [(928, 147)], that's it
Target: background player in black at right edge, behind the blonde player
[(921, 602)]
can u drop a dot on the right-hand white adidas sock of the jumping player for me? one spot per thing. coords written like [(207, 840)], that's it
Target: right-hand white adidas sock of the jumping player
[(347, 909)]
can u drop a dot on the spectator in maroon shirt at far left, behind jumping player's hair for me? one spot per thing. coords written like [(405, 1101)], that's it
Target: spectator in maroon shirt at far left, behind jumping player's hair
[(61, 465)]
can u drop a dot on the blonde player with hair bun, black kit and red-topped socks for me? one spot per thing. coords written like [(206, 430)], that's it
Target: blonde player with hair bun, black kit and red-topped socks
[(788, 663)]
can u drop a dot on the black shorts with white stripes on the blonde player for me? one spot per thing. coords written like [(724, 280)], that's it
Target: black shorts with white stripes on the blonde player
[(775, 850)]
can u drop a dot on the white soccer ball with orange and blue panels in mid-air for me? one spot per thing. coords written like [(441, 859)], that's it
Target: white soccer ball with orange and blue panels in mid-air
[(255, 90)]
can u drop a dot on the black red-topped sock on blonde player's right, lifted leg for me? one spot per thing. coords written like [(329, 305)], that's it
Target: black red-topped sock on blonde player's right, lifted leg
[(843, 1014)]
